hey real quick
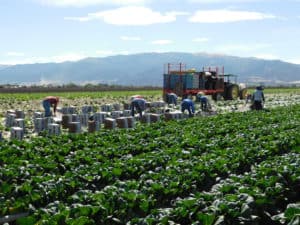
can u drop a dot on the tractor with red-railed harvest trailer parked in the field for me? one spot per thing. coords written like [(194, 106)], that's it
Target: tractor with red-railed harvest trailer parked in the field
[(210, 81)]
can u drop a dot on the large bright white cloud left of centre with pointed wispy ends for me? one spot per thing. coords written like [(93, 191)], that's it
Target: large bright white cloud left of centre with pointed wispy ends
[(131, 15)]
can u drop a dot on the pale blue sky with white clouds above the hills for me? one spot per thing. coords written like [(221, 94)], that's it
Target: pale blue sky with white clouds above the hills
[(37, 31)]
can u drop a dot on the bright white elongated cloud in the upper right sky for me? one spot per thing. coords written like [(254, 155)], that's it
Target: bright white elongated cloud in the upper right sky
[(227, 16)]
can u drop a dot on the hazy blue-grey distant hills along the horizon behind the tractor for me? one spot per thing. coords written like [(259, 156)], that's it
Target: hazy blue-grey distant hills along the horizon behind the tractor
[(146, 69)]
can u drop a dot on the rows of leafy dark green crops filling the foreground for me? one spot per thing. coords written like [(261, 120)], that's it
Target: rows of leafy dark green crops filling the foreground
[(231, 168)]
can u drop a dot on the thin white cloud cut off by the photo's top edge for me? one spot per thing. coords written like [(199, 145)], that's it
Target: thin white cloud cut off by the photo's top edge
[(83, 3)]
